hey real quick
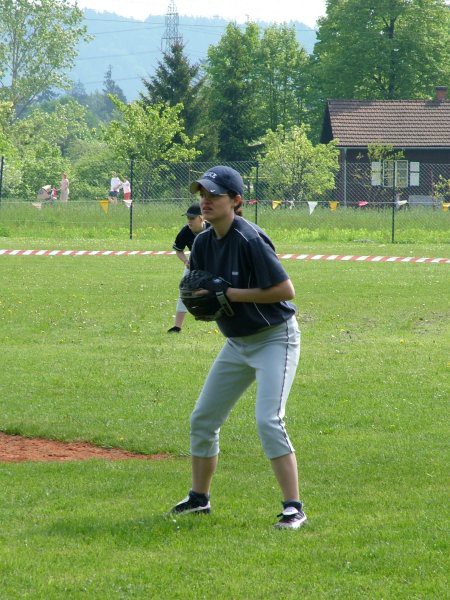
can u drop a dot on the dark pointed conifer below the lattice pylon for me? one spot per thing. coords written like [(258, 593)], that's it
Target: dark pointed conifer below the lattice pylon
[(176, 81)]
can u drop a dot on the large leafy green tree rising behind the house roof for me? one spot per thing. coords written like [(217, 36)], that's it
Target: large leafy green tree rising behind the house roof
[(383, 49)]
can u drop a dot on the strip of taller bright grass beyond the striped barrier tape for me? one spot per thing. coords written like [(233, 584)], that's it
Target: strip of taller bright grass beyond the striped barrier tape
[(87, 221)]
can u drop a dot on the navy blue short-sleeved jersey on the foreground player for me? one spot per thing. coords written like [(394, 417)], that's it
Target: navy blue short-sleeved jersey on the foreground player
[(246, 258)]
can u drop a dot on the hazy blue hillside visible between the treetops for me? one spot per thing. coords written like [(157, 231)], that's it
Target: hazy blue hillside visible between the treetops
[(133, 48)]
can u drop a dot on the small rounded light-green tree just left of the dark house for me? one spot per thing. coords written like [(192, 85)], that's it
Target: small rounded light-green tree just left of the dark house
[(294, 168)]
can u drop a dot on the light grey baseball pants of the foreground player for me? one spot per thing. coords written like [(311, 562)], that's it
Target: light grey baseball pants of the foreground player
[(270, 357)]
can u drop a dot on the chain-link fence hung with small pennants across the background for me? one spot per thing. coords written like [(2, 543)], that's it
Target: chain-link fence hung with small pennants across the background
[(368, 202)]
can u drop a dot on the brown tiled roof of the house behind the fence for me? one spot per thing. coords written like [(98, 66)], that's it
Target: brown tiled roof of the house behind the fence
[(402, 123)]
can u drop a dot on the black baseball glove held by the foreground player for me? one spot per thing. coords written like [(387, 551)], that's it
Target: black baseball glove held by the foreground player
[(210, 306)]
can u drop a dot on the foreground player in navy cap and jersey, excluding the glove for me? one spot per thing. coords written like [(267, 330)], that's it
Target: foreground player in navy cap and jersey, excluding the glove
[(262, 343)]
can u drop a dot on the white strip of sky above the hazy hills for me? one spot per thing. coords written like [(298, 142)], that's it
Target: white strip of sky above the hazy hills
[(306, 11)]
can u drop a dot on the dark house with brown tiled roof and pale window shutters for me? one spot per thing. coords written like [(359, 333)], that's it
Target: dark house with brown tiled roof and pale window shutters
[(418, 132)]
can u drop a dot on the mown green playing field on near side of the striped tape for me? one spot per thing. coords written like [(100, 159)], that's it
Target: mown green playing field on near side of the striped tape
[(85, 356)]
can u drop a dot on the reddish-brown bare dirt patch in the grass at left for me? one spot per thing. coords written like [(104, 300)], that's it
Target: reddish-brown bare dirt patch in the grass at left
[(14, 448)]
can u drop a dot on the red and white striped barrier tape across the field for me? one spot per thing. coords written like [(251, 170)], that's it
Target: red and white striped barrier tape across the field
[(325, 257)]
